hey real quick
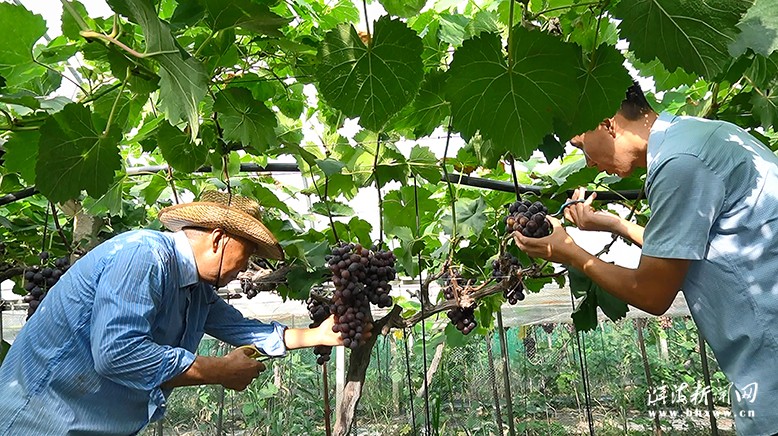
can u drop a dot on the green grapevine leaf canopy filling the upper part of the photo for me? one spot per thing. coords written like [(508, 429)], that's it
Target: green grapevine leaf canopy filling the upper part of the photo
[(229, 82)]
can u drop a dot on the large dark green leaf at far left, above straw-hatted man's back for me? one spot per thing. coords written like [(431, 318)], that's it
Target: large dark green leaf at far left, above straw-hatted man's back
[(73, 155)]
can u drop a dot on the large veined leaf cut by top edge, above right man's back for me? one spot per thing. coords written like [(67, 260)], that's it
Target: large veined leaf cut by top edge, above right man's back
[(692, 35)]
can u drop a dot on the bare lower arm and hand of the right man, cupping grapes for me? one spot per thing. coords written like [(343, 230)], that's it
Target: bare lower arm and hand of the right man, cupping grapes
[(651, 287)]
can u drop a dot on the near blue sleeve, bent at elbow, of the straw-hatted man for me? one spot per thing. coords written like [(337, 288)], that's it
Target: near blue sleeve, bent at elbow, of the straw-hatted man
[(127, 298)]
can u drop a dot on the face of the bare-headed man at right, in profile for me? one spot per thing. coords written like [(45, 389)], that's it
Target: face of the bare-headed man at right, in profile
[(601, 148)]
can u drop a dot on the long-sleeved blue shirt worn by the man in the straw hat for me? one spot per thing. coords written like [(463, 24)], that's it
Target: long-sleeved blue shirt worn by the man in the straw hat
[(123, 320)]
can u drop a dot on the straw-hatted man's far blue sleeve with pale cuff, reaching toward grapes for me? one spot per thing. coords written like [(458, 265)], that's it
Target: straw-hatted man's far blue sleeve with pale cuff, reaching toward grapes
[(226, 323)]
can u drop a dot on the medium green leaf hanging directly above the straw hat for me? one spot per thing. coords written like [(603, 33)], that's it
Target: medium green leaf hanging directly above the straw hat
[(244, 119)]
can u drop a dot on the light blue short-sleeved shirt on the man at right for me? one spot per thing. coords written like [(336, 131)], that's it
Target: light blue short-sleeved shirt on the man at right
[(713, 192)]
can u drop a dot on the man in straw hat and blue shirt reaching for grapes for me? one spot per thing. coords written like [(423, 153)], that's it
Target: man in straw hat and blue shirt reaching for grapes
[(119, 330)]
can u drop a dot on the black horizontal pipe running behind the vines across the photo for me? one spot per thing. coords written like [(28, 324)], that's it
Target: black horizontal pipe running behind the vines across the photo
[(291, 167)]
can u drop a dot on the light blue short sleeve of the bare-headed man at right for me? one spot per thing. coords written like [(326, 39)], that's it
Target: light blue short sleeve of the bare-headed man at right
[(686, 198)]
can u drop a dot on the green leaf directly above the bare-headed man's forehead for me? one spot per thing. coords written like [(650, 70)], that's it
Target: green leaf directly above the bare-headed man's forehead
[(603, 82)]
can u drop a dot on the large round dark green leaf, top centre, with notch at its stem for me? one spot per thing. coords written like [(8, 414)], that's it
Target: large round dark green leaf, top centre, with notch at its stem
[(373, 81)]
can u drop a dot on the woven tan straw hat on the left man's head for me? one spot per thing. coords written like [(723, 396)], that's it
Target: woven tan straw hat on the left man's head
[(236, 215)]
